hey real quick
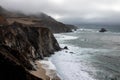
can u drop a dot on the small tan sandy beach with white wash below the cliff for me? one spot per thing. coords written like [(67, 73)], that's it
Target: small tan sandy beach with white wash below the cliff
[(43, 71)]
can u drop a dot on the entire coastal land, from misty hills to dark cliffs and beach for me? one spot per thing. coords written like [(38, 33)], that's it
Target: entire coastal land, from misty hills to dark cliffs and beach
[(24, 40)]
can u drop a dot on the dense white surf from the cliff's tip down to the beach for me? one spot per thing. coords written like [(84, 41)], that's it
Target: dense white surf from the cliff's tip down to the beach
[(70, 68)]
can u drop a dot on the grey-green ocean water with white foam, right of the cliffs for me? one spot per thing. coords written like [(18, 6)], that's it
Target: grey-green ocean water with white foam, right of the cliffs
[(91, 55)]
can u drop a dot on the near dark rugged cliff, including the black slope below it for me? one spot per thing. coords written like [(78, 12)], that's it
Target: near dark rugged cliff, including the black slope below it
[(20, 46)]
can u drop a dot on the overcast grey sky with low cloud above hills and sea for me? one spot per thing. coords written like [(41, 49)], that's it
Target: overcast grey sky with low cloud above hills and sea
[(70, 11)]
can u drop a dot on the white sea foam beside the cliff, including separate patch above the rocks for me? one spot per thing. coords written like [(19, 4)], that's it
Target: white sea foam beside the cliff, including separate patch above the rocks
[(74, 63)]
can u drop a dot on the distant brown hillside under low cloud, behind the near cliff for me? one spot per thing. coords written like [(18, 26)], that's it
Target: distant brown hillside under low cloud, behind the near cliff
[(37, 20)]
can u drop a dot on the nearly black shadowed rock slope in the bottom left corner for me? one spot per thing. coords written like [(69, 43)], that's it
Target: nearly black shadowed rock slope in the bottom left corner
[(11, 67)]
